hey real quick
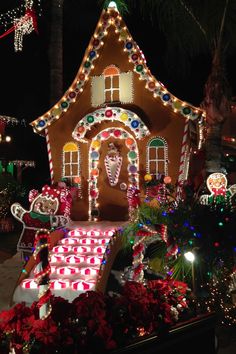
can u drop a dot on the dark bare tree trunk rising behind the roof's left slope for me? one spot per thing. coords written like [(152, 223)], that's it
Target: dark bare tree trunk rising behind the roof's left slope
[(56, 51)]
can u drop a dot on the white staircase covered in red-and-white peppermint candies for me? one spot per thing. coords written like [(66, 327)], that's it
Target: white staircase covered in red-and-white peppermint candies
[(75, 264)]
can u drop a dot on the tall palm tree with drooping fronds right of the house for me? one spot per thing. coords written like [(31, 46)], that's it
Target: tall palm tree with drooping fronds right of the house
[(198, 27)]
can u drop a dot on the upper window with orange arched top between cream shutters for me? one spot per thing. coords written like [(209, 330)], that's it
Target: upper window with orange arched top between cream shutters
[(112, 85)]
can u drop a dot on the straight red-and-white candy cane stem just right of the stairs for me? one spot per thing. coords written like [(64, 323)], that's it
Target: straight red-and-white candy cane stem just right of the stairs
[(138, 255)]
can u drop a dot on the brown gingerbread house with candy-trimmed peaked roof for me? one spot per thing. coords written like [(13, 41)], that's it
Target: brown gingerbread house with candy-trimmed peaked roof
[(115, 124)]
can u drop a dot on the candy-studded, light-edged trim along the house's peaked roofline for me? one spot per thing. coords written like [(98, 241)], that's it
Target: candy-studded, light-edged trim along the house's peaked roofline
[(111, 17)]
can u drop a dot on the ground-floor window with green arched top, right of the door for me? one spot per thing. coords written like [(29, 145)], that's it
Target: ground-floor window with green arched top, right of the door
[(157, 157)]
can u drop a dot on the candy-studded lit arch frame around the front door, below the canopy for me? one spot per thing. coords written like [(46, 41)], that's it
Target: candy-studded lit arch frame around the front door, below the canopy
[(94, 156)]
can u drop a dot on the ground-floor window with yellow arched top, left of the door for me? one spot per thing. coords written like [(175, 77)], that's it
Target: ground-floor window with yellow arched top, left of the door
[(71, 162)]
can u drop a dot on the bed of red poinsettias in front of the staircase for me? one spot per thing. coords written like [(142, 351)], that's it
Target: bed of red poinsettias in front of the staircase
[(95, 322)]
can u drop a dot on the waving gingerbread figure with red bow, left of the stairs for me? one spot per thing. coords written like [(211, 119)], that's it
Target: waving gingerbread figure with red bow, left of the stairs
[(48, 209)]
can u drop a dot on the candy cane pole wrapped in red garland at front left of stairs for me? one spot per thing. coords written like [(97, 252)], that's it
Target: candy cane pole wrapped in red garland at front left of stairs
[(42, 272)]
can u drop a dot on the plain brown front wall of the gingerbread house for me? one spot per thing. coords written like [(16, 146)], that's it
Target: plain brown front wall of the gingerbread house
[(160, 120)]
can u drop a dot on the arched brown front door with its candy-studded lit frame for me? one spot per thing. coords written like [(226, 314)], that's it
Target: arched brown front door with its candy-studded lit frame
[(113, 167)]
